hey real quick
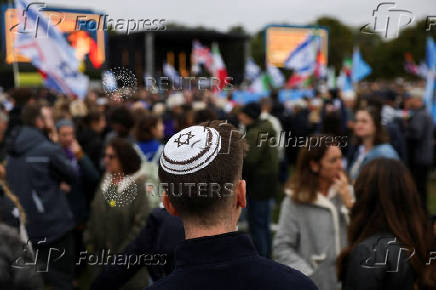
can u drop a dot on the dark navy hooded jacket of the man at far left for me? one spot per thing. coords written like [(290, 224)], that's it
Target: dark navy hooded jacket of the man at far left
[(35, 167)]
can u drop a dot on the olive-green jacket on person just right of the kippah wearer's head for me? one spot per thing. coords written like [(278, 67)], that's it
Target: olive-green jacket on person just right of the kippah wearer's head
[(260, 168)]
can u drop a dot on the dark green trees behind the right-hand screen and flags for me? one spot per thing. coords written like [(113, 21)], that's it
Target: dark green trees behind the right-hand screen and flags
[(386, 57)]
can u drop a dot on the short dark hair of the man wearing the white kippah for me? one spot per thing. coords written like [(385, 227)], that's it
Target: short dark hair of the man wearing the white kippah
[(205, 204)]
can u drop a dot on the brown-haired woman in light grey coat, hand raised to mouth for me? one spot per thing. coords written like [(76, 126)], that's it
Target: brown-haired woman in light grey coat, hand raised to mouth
[(314, 213)]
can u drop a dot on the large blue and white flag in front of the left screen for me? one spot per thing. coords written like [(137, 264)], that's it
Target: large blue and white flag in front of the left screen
[(48, 51)]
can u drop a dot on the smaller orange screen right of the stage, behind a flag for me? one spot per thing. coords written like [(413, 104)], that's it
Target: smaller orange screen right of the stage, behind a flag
[(281, 40)]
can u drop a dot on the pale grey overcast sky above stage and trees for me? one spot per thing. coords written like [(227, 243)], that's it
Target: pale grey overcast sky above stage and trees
[(252, 14)]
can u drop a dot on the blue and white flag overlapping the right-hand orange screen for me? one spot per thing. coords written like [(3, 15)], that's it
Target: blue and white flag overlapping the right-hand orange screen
[(303, 58)]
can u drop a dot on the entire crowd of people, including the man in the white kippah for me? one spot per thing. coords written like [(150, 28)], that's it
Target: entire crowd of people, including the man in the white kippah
[(333, 186)]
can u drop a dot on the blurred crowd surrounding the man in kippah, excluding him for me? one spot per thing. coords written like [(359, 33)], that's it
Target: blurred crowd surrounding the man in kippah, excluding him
[(81, 175)]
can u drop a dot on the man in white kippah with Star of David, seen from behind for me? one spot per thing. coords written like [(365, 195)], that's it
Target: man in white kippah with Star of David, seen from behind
[(200, 169)]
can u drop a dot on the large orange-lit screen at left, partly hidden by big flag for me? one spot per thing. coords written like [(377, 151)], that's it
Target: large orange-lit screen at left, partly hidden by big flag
[(83, 29)]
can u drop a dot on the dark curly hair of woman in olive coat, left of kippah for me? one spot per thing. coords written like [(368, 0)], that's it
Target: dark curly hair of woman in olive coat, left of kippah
[(127, 155)]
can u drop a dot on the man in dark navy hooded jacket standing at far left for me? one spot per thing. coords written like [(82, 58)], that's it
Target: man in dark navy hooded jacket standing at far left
[(35, 169)]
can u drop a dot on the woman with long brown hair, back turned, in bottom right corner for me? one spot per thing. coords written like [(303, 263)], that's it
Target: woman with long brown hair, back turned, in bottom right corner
[(389, 236)]
